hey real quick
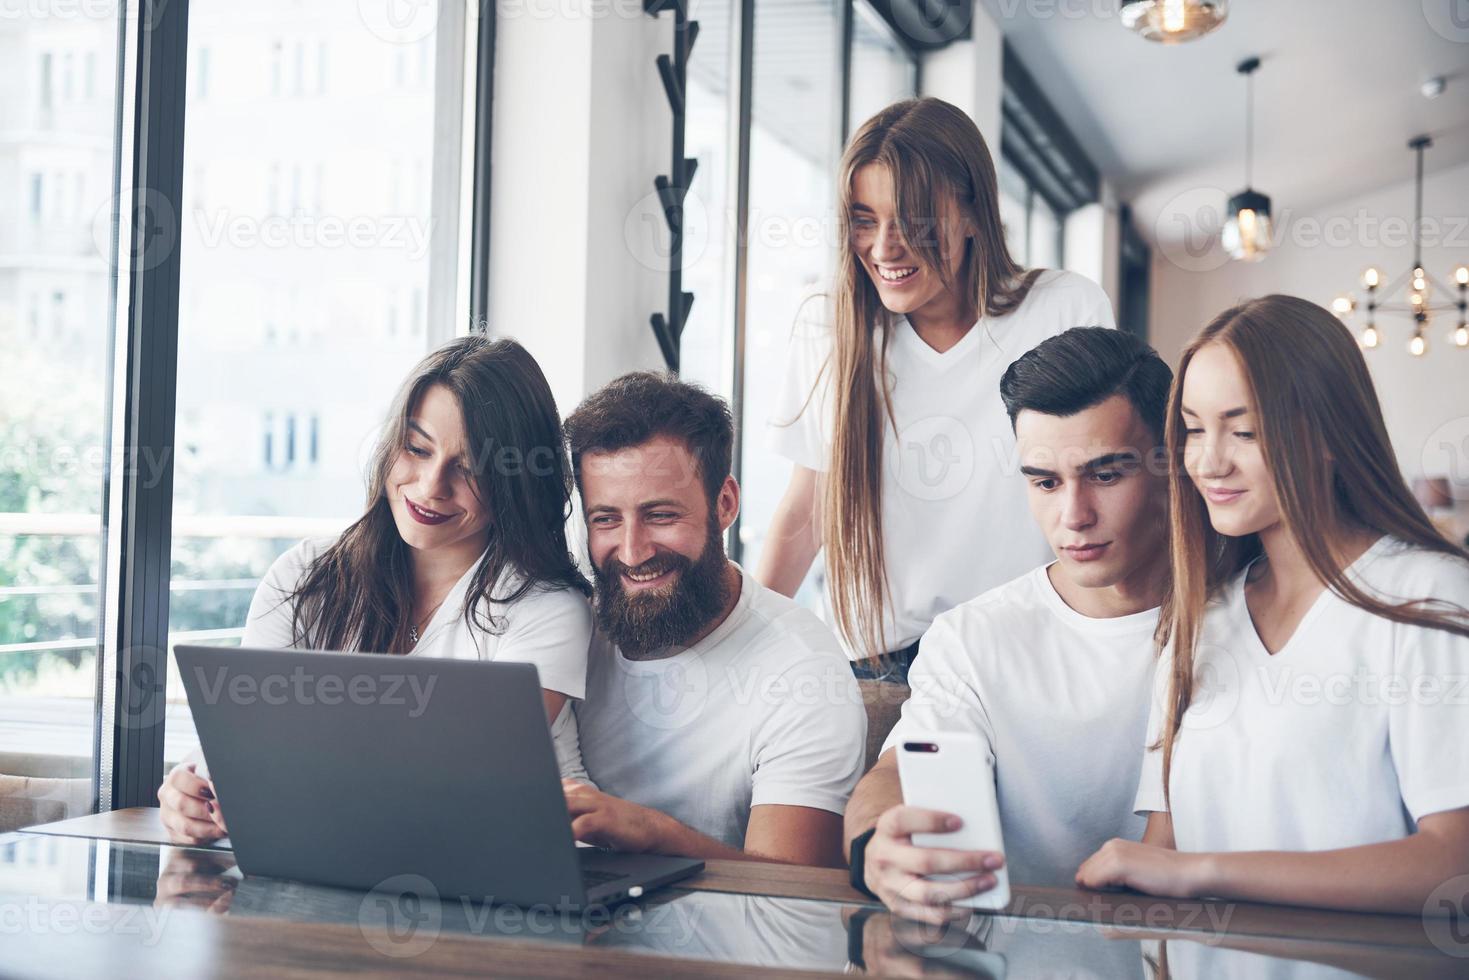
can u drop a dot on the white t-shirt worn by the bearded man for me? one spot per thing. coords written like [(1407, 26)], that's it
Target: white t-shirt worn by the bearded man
[(763, 710)]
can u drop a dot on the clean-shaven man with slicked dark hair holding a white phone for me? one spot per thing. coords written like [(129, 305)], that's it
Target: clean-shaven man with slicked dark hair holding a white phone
[(1054, 669)]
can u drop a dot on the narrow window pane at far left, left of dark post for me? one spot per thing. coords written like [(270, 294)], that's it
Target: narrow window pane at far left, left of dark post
[(57, 162)]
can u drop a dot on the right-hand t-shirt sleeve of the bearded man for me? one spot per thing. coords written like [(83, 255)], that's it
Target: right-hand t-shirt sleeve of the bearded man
[(810, 746)]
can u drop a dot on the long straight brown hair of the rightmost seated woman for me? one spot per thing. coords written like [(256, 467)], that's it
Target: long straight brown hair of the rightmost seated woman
[(1321, 434)]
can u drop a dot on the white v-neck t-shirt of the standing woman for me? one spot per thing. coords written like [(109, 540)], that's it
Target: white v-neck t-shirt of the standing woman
[(956, 519)]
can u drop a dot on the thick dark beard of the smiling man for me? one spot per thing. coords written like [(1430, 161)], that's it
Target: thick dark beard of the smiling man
[(644, 622)]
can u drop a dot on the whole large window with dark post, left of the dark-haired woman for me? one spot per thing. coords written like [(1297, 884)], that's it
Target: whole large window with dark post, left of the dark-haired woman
[(309, 221)]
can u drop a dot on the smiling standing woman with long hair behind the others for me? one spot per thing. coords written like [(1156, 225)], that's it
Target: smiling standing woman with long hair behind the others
[(904, 456)]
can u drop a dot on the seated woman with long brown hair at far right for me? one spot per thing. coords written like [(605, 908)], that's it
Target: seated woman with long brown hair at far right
[(1313, 724)]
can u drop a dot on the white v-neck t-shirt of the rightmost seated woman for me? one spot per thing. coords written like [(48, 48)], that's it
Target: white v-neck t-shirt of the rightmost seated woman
[(1349, 735)]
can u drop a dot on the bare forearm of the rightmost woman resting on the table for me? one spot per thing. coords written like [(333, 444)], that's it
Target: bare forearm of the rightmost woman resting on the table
[(1396, 876)]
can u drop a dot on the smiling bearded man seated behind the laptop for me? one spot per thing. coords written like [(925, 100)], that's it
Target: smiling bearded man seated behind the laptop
[(722, 719)]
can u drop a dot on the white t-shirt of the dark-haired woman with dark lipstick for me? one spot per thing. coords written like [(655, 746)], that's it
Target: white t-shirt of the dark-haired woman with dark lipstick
[(547, 628)]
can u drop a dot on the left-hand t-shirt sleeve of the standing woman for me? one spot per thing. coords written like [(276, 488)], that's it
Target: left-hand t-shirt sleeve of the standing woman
[(797, 430)]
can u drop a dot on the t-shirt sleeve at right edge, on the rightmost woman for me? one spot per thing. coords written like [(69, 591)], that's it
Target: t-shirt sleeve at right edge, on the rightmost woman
[(1429, 727)]
